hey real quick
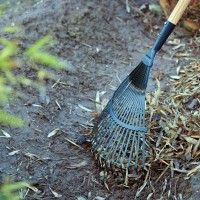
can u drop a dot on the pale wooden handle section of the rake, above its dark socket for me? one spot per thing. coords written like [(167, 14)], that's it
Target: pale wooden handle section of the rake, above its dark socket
[(178, 11)]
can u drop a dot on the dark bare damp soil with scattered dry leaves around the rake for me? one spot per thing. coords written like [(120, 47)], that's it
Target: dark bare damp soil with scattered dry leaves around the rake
[(103, 43)]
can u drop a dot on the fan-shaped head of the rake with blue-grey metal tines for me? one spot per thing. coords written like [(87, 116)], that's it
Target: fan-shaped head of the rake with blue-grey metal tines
[(120, 131)]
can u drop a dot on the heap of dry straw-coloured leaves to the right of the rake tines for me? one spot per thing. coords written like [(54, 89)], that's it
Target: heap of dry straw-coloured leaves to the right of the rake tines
[(175, 120)]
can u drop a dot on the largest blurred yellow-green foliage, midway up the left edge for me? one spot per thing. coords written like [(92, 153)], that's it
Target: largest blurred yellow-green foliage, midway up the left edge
[(9, 80)]
